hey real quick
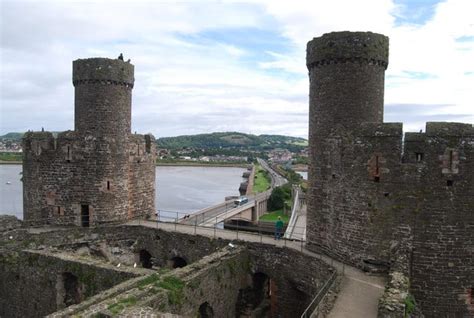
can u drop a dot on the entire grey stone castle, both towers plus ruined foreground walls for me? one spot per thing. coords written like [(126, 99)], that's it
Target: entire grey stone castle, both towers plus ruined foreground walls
[(390, 204)]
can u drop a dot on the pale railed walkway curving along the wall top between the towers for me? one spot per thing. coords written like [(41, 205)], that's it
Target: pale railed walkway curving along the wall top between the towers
[(359, 292)]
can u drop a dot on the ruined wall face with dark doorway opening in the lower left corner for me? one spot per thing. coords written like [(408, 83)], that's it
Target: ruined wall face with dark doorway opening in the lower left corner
[(33, 283)]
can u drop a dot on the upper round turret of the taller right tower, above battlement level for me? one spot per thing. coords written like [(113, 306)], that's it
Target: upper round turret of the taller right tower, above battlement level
[(346, 72)]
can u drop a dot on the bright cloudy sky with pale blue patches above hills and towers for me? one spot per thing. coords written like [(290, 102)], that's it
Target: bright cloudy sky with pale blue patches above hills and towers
[(203, 66)]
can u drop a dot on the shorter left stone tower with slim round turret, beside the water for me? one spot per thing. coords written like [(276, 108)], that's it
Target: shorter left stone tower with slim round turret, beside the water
[(99, 172)]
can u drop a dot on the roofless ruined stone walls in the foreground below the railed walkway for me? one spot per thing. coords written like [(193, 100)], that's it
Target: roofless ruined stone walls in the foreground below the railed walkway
[(216, 273)]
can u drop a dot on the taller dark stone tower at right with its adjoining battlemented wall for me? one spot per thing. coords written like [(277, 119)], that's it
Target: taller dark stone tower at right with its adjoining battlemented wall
[(378, 199)]
